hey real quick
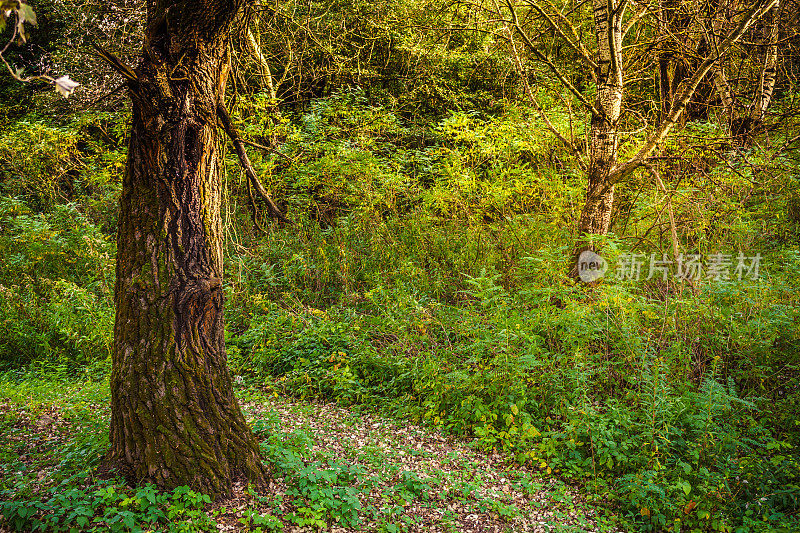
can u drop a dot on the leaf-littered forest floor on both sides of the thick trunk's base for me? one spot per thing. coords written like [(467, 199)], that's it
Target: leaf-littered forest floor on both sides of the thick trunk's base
[(334, 469)]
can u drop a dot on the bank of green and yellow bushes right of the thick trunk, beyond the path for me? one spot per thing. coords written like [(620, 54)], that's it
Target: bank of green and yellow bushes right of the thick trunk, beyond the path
[(443, 298)]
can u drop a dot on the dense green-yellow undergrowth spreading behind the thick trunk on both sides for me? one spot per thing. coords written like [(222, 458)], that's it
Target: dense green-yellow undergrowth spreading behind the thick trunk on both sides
[(425, 276)]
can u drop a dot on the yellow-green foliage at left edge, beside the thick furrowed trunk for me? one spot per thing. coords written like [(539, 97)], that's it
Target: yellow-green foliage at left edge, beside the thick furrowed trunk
[(57, 203)]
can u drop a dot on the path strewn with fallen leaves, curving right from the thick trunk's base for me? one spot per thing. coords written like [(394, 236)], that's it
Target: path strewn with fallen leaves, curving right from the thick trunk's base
[(433, 483)]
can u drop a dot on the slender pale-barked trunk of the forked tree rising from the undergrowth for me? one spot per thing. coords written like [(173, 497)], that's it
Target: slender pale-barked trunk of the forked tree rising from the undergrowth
[(604, 133)]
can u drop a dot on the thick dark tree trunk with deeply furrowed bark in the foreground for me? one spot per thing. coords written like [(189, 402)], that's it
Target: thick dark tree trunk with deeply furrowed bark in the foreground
[(174, 418)]
